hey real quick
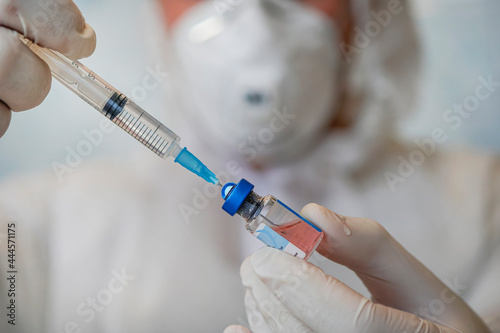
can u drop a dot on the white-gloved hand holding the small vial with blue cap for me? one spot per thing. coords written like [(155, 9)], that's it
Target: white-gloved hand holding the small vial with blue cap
[(286, 294)]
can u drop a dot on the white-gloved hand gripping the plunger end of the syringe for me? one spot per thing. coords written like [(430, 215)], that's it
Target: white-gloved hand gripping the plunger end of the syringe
[(24, 78)]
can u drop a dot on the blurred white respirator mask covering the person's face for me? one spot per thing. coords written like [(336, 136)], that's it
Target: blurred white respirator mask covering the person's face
[(257, 77)]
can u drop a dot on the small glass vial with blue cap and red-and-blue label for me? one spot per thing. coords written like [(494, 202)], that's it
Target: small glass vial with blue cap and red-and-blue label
[(271, 221)]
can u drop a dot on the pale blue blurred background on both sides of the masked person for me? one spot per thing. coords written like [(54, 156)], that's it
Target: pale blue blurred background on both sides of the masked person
[(459, 43)]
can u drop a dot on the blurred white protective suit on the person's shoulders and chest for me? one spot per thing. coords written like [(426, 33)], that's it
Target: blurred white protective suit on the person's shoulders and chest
[(139, 245)]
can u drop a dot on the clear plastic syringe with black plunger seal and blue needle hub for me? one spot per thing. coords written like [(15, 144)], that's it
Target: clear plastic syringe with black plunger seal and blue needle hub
[(120, 110)]
